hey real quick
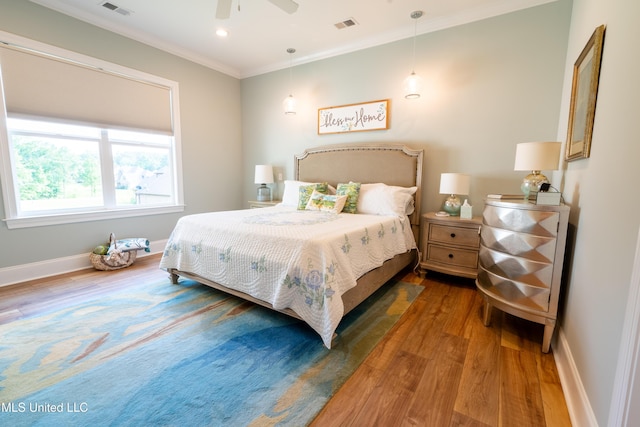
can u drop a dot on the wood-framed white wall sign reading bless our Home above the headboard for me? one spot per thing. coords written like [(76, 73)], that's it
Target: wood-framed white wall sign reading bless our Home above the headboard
[(372, 115)]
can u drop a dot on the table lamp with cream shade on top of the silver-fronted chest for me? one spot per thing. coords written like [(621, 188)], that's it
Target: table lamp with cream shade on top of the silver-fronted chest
[(534, 157)]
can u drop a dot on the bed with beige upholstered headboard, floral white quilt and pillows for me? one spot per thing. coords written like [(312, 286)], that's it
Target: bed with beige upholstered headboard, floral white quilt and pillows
[(301, 258)]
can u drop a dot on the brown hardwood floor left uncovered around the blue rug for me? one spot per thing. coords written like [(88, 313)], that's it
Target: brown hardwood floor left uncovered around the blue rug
[(439, 366)]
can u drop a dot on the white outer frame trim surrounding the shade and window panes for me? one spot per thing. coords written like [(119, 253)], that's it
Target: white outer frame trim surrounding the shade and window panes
[(7, 180)]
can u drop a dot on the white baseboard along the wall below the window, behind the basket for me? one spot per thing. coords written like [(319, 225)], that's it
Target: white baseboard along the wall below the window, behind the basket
[(53, 267)]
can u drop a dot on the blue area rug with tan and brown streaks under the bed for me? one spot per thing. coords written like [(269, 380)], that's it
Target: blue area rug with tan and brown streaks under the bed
[(187, 355)]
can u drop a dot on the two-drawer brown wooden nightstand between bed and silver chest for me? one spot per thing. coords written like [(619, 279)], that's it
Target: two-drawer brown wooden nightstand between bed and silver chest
[(450, 245)]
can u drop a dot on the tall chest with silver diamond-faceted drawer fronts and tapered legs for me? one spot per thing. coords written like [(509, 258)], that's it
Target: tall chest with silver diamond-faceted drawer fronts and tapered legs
[(521, 256)]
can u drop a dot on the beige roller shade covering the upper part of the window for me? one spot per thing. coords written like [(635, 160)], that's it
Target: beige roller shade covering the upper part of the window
[(37, 84)]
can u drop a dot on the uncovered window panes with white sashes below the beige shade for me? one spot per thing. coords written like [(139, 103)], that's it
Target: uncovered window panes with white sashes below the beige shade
[(62, 168)]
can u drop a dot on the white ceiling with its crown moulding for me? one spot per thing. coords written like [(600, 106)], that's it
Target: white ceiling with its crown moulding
[(260, 33)]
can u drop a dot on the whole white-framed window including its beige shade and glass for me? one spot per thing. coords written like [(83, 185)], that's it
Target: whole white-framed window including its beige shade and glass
[(103, 148)]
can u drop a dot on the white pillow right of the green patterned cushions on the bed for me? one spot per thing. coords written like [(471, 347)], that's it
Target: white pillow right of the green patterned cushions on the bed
[(382, 199)]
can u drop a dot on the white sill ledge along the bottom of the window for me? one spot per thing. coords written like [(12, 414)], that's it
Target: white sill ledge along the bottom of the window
[(40, 221)]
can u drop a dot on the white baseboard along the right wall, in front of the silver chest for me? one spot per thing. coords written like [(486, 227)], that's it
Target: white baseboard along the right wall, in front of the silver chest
[(578, 405)]
